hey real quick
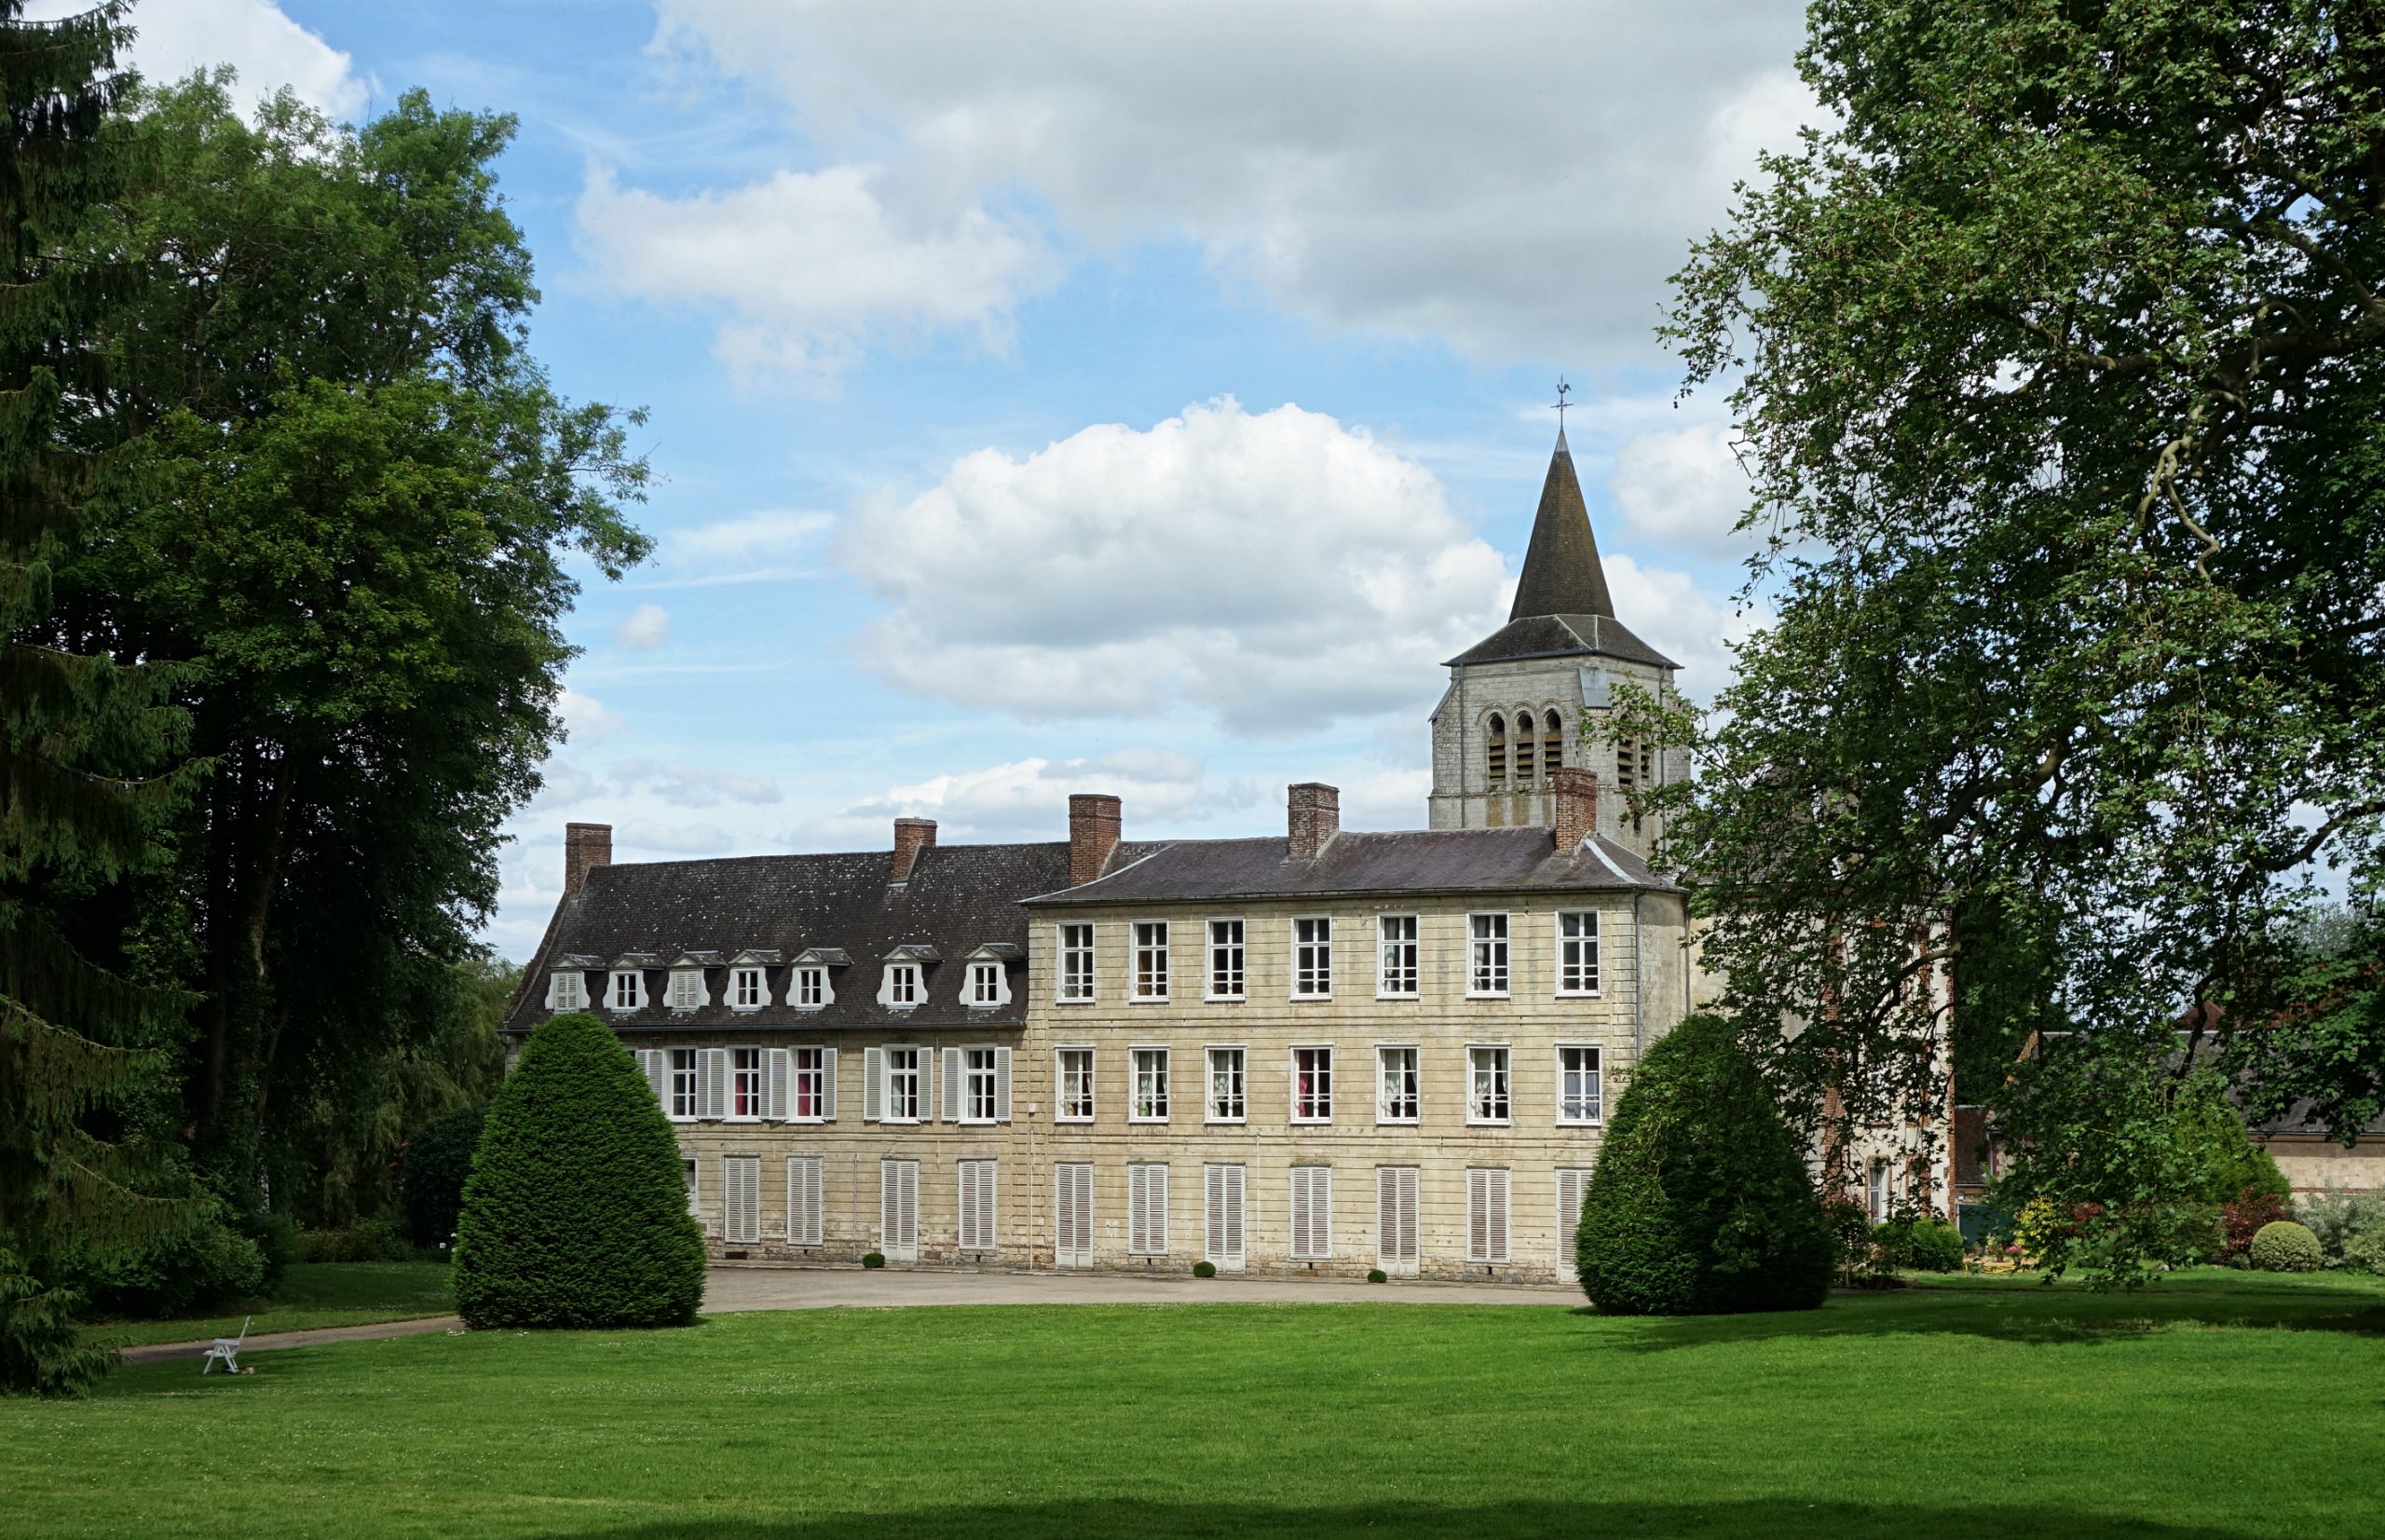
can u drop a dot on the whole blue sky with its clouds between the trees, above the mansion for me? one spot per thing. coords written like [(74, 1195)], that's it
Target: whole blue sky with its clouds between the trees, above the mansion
[(1077, 397)]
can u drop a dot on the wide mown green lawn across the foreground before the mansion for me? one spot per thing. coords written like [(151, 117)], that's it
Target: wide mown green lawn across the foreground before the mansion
[(2219, 1412)]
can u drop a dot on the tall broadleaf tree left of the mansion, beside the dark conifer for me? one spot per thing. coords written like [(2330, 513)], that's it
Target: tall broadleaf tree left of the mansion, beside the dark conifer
[(359, 504)]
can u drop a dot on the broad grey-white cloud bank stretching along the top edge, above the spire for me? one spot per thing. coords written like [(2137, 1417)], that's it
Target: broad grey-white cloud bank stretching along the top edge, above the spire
[(1513, 175)]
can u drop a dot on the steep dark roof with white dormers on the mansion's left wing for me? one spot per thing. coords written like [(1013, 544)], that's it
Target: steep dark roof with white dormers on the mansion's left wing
[(958, 900)]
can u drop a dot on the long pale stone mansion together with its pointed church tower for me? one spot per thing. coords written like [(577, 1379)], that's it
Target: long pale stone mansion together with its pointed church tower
[(1318, 1052)]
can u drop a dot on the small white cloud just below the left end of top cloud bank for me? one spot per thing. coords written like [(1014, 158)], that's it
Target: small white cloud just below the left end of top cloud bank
[(812, 266)]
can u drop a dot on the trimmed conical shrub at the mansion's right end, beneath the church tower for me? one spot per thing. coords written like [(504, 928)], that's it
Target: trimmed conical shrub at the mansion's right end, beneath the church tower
[(1702, 1203)]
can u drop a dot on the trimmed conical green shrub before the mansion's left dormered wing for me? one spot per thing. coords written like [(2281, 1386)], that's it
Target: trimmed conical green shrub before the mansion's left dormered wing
[(576, 1212)]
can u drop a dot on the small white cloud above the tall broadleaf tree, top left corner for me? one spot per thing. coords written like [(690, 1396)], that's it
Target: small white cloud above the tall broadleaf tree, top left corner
[(254, 37)]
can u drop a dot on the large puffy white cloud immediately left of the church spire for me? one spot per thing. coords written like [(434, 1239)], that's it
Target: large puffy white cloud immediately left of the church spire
[(1270, 571)]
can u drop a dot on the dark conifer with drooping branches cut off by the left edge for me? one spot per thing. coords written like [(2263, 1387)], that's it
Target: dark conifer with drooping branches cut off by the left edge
[(82, 733)]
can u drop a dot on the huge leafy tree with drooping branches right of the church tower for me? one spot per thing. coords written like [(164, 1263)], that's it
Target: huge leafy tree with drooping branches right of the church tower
[(2059, 371)]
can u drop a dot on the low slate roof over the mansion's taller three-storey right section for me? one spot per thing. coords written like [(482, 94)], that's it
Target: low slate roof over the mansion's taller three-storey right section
[(1353, 864)]
